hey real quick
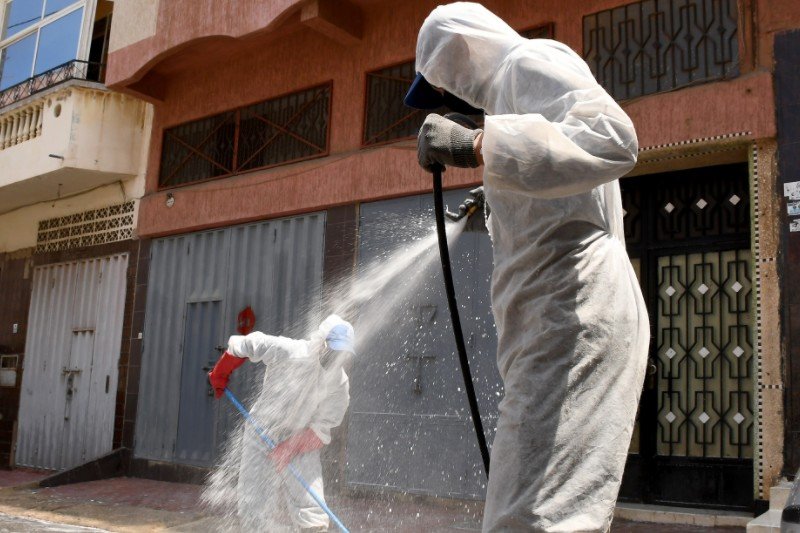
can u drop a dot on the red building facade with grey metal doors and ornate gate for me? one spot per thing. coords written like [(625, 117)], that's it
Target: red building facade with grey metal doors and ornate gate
[(280, 148)]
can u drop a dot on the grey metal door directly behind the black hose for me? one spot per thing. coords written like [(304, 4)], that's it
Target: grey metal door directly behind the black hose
[(410, 427)]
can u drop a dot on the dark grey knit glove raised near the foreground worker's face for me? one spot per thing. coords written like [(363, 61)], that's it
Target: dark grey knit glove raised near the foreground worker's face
[(441, 141)]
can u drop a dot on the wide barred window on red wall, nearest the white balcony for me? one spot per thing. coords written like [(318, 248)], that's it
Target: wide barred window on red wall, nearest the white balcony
[(282, 130)]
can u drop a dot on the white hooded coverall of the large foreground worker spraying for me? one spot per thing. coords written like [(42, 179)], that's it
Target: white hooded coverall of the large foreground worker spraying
[(572, 325)]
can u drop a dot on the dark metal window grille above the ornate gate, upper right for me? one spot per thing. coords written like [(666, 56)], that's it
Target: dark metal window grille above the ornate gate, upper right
[(660, 45)]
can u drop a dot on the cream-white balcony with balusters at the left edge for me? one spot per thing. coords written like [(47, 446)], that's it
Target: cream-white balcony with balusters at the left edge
[(66, 140)]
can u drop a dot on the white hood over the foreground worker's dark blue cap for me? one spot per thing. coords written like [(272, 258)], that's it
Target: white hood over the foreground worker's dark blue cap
[(460, 48)]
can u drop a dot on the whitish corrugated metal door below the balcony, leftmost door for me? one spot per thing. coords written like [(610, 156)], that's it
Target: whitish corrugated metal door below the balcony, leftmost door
[(69, 382)]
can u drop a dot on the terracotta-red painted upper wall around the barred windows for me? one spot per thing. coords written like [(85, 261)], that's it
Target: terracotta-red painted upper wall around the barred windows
[(268, 52)]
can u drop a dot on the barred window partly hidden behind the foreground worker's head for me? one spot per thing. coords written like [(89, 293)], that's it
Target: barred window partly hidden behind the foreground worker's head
[(386, 117)]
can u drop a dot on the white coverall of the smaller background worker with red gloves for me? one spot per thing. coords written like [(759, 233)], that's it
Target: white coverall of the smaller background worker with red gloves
[(298, 393)]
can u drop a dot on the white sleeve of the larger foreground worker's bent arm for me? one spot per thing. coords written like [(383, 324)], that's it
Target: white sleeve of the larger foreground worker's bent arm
[(568, 135)]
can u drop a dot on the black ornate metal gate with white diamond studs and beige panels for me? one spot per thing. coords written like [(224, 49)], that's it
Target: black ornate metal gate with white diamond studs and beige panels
[(688, 235)]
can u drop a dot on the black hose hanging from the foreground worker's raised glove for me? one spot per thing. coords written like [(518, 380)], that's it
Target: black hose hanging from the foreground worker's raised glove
[(444, 253)]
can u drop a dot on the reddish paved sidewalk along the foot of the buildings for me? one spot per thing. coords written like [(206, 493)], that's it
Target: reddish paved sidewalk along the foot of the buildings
[(139, 505)]
